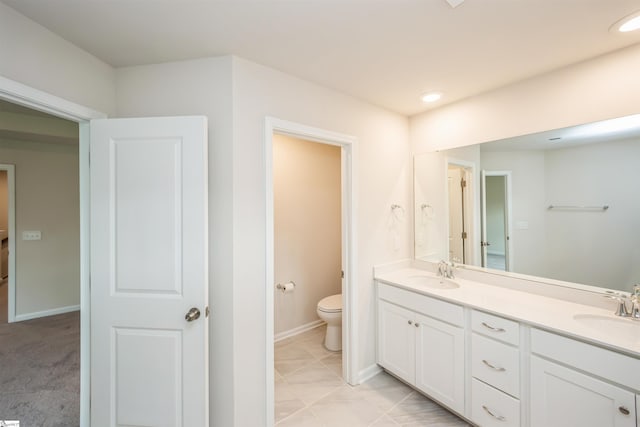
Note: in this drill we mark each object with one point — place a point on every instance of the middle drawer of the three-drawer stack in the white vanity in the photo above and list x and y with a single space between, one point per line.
496 364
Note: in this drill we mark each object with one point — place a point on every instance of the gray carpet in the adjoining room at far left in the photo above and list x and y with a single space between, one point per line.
40 369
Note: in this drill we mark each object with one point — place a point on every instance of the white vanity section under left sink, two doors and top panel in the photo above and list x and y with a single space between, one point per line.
421 340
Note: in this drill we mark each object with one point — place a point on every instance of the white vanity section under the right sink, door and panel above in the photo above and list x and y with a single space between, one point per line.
574 384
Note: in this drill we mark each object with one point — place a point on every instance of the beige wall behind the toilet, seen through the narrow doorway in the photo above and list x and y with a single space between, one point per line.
307 228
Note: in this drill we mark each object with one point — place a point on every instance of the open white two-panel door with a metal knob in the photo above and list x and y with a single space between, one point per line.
149 268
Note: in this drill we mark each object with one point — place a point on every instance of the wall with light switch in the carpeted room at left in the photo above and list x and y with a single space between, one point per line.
47 199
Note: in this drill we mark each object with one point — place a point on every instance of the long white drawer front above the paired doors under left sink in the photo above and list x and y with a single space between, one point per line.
432 307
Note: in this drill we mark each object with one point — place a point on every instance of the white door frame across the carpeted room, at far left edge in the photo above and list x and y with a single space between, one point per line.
11 233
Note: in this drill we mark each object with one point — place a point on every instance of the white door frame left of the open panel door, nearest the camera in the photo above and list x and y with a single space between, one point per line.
29 97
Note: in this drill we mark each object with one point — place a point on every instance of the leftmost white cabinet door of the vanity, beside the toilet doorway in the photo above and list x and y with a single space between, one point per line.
396 340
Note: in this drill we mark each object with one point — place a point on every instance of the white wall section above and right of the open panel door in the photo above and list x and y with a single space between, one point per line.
202 87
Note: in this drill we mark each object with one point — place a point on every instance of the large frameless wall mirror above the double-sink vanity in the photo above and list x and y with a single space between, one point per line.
561 204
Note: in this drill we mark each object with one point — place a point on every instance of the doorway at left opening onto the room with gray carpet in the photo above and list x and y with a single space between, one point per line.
40 271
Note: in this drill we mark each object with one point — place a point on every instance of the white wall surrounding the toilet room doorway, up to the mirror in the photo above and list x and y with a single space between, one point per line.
383 178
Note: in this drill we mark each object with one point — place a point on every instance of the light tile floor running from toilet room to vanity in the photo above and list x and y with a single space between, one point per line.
310 392
